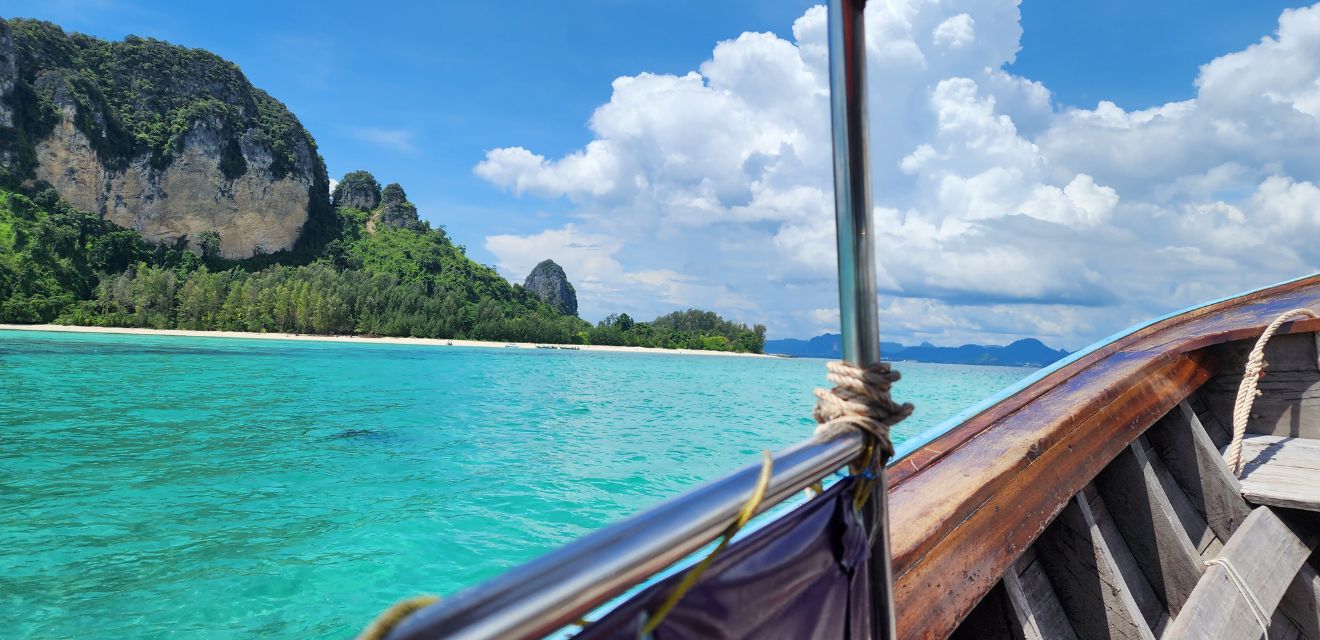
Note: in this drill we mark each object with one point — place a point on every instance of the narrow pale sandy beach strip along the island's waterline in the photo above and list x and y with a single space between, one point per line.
358 340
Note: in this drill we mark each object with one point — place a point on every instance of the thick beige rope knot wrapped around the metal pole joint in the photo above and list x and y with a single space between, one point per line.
860 400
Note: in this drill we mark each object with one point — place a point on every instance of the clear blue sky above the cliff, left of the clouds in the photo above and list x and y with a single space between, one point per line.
416 93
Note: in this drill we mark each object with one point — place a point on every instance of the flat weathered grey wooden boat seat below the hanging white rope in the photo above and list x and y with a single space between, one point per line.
1281 472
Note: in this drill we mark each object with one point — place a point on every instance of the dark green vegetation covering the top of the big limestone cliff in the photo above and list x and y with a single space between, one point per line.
141 97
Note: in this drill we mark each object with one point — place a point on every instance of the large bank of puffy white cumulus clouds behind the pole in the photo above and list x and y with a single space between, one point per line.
1000 214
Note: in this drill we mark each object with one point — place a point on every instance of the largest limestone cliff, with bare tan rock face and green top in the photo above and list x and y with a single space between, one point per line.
171 142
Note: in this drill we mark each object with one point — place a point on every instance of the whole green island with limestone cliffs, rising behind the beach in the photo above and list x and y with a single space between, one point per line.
151 185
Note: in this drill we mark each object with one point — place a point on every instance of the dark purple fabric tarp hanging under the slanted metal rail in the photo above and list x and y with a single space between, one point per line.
803 576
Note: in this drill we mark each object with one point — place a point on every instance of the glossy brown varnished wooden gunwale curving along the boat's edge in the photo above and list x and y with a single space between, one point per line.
943 499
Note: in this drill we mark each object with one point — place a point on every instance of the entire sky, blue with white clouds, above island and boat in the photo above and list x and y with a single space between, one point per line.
420 93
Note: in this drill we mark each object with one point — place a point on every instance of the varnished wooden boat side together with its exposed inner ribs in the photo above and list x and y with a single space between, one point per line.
989 518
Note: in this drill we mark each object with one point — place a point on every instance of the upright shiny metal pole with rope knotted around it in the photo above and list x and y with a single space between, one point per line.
857 304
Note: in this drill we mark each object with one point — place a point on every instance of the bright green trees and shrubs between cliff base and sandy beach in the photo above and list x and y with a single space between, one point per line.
59 265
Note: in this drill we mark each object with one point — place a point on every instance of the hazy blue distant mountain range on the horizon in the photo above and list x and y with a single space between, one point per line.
1026 353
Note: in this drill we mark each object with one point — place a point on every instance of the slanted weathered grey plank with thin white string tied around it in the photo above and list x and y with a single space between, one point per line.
1268 554
